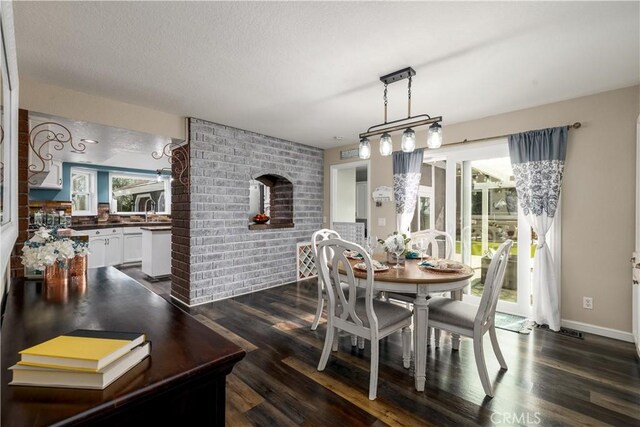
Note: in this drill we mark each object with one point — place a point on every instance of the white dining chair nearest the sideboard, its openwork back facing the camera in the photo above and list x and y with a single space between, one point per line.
367 317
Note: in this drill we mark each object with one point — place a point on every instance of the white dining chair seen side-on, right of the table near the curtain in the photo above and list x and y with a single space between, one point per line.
468 320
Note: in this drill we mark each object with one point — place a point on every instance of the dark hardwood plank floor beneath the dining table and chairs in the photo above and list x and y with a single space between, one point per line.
552 379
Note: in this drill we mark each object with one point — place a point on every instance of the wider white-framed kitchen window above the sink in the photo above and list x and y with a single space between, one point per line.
139 193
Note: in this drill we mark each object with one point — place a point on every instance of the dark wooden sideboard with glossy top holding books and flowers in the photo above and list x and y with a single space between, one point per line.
181 383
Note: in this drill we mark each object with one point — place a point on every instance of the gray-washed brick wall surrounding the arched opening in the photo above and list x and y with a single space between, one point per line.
225 257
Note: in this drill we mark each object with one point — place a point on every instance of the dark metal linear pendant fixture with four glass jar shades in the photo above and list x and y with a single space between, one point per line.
434 138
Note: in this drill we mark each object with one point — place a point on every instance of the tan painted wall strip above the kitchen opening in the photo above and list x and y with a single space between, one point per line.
59 101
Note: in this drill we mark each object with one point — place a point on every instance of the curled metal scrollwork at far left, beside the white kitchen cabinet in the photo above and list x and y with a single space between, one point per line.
49 135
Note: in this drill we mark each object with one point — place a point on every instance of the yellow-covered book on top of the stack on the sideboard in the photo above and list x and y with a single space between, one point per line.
82 349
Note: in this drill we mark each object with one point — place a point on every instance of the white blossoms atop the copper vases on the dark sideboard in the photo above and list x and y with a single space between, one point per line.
46 248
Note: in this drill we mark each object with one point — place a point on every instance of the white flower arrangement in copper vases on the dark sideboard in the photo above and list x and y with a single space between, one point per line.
56 255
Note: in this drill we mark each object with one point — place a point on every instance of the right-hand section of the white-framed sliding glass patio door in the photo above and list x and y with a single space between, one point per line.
482 212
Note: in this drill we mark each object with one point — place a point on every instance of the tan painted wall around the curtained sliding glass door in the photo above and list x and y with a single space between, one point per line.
598 199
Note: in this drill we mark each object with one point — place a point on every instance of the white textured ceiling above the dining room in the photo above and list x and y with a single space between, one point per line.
309 71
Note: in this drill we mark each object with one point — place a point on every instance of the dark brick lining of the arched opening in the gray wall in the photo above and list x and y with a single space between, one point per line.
280 201
